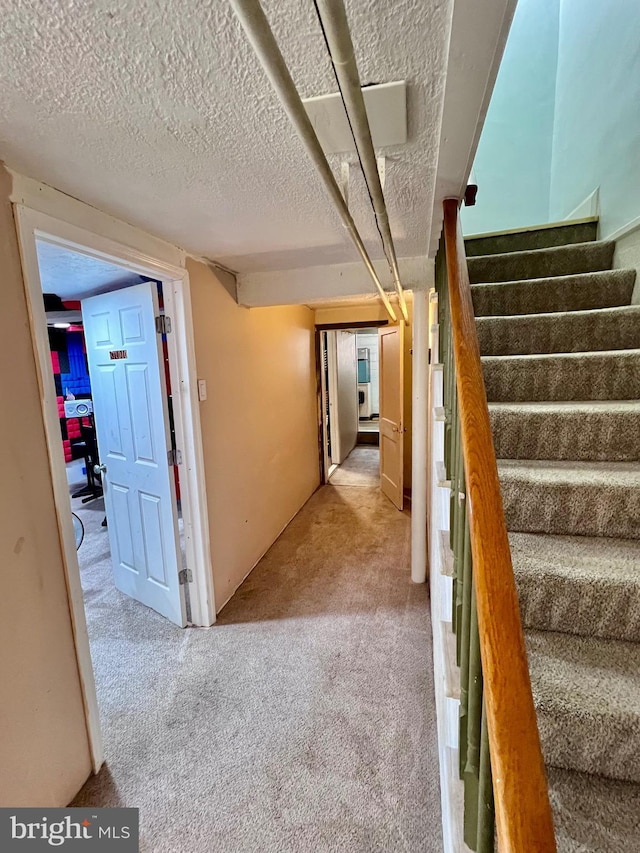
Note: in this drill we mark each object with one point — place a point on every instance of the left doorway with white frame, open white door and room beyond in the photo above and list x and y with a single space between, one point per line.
113 340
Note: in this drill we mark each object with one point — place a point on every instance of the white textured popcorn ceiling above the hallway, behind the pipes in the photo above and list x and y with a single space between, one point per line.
159 113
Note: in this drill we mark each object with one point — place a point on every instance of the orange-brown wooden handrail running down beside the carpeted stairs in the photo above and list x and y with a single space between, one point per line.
523 813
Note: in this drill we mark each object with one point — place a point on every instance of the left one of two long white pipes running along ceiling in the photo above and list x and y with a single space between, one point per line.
259 33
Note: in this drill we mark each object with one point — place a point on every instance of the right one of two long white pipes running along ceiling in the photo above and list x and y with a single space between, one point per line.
335 26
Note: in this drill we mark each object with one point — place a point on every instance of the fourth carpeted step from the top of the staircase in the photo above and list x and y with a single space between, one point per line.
566 331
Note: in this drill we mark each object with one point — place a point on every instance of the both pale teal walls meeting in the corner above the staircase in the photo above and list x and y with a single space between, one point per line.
564 118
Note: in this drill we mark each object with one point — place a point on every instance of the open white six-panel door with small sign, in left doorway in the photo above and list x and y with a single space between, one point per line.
124 352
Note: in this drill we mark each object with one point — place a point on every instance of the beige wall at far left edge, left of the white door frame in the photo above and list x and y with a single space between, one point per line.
44 752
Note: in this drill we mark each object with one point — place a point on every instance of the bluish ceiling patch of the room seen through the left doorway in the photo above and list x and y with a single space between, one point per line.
71 275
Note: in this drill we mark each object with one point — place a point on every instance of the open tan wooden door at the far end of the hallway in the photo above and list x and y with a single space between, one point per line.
391 356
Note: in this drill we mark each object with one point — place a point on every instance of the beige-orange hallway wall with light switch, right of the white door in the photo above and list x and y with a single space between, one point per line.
259 423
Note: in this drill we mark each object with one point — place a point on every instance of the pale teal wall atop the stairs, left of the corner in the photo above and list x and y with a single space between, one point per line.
513 162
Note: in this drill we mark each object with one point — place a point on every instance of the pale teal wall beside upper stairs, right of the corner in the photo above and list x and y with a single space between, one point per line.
596 139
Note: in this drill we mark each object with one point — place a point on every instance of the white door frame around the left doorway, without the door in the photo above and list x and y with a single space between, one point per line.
32 225
